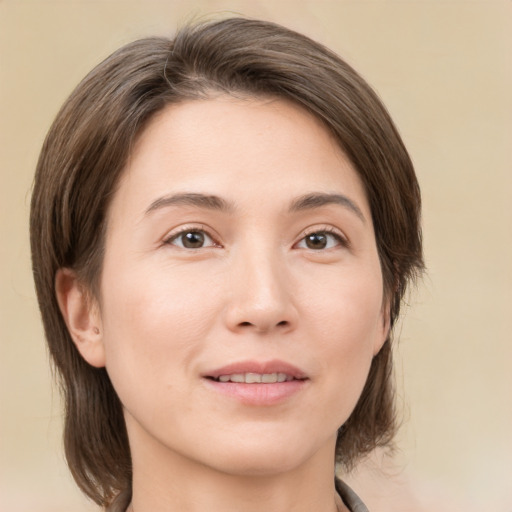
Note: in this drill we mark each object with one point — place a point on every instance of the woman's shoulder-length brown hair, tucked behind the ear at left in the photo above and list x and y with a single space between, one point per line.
84 155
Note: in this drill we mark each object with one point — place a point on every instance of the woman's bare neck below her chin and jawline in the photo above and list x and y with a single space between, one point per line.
167 482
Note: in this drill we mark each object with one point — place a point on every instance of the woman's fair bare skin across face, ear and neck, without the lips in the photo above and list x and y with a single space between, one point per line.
256 290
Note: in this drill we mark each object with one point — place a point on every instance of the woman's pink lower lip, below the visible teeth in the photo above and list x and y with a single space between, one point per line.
258 394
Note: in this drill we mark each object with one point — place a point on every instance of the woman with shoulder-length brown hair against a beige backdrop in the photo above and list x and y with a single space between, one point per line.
223 226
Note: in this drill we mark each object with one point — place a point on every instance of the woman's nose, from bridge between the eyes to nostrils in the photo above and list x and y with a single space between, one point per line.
261 295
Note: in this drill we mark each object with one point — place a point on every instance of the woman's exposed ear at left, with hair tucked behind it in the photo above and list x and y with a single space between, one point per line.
82 316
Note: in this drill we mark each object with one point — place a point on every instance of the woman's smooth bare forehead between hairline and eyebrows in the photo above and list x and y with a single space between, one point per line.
227 145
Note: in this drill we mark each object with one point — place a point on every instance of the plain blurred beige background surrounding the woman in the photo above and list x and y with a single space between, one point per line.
444 70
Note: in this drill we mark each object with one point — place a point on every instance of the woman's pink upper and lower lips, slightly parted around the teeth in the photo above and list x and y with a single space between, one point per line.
256 394
